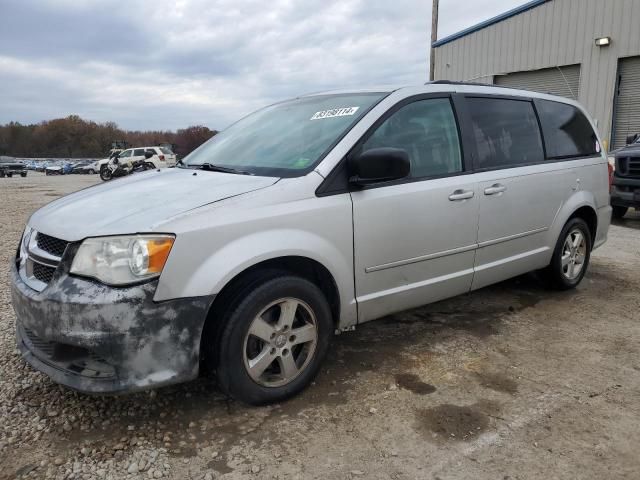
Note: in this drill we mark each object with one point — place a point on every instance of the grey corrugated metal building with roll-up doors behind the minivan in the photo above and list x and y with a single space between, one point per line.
583 49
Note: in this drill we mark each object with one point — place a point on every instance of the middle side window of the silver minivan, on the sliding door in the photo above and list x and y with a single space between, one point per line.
506 132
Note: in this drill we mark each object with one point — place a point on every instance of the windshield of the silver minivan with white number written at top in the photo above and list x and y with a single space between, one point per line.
286 139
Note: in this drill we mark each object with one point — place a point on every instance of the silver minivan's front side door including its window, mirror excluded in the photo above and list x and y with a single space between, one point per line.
415 239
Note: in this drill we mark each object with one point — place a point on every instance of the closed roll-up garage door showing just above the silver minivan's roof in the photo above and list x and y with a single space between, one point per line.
563 81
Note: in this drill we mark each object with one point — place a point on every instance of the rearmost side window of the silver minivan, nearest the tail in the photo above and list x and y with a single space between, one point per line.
567 131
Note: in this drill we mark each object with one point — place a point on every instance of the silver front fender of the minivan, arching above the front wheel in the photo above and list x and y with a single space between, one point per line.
225 241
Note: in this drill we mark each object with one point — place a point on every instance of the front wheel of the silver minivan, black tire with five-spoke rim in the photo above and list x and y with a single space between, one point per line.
261 307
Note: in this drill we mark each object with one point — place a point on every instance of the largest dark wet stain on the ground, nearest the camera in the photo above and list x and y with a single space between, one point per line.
456 423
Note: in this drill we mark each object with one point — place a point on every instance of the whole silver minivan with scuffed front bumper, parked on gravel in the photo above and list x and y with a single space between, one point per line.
307 217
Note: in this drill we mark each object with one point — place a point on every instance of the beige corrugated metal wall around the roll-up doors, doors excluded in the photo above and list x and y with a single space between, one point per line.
559 32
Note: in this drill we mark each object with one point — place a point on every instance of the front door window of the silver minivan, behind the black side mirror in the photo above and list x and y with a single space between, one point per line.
427 131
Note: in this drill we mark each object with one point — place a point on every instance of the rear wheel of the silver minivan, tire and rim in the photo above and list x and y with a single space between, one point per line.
561 273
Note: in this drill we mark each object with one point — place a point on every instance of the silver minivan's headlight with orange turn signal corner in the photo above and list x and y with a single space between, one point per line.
122 260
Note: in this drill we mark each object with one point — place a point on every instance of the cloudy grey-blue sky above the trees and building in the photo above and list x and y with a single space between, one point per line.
169 64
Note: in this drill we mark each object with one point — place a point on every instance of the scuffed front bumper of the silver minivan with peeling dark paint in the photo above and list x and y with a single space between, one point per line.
99 339
